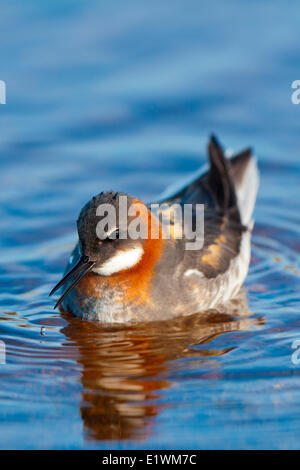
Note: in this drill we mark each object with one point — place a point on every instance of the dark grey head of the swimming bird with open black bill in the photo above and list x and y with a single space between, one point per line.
112 231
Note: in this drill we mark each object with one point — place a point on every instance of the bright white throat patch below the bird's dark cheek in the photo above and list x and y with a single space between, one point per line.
120 261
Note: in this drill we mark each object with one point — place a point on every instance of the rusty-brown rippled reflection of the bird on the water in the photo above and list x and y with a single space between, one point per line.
125 369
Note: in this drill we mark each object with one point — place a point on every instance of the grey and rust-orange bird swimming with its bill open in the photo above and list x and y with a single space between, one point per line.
112 277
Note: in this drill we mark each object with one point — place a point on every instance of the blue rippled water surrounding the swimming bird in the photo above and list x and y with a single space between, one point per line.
123 95
